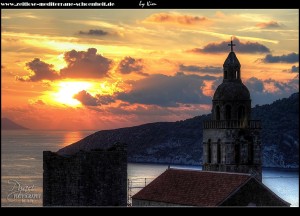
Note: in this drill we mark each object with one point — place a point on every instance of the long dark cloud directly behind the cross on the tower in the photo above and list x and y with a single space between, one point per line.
241 47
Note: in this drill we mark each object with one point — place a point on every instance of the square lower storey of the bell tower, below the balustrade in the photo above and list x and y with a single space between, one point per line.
244 159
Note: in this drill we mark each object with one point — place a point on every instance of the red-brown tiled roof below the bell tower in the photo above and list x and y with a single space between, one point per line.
192 187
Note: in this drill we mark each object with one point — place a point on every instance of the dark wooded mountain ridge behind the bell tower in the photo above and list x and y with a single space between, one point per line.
181 142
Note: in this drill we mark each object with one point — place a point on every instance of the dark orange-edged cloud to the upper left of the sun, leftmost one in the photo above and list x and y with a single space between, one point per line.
40 71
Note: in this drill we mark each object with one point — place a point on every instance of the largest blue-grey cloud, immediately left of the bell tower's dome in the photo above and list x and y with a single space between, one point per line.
167 91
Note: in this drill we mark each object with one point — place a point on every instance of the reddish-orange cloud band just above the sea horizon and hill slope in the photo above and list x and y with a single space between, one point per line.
49 117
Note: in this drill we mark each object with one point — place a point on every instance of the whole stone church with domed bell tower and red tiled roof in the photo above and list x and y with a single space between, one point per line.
232 171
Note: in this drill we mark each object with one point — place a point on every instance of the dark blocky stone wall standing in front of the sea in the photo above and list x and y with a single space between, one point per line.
87 178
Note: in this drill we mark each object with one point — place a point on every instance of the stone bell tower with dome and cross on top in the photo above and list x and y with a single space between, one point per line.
231 140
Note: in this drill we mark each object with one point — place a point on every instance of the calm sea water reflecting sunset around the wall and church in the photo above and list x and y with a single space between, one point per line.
22 168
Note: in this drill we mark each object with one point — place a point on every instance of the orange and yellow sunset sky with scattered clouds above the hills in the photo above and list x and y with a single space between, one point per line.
103 69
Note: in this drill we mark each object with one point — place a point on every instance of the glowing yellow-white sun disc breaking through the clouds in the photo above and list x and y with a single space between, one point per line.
67 90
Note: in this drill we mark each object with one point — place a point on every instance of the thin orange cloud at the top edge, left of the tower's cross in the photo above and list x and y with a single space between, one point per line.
175 18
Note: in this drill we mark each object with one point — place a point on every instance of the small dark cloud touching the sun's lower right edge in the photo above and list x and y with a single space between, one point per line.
88 100
